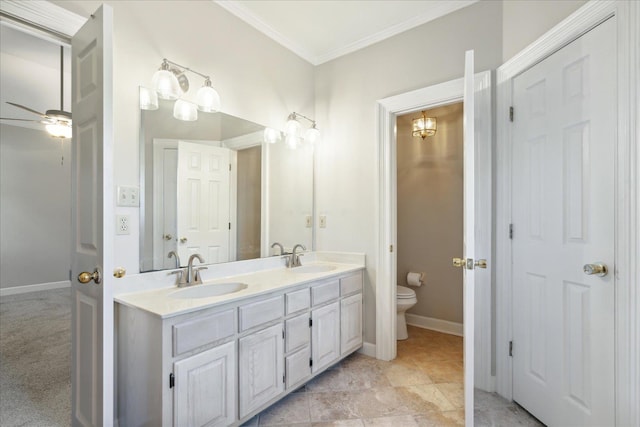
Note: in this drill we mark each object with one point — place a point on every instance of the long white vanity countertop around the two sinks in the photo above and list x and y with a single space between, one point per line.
160 303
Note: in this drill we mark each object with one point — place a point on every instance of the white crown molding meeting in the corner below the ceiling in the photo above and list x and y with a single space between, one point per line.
440 8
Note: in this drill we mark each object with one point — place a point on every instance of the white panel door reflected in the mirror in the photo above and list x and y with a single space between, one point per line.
203 201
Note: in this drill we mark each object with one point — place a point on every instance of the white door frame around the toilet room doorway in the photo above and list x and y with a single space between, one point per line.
386 265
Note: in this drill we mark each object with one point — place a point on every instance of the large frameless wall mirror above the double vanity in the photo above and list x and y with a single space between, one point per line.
214 187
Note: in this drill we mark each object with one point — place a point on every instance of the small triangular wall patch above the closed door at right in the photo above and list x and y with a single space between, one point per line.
523 21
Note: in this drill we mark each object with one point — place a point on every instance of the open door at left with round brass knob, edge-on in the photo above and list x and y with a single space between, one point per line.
92 223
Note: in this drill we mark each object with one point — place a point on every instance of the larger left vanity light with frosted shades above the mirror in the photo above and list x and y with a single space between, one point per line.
170 82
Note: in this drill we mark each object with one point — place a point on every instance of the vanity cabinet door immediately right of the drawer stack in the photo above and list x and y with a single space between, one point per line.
325 336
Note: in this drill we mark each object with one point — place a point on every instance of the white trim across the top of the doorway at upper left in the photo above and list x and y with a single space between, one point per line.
45 15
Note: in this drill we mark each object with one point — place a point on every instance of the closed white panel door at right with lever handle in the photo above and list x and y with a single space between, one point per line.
563 217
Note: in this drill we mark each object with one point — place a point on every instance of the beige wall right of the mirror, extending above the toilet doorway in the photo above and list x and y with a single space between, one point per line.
346 93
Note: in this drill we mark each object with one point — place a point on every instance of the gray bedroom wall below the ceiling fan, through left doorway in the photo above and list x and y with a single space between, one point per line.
35 205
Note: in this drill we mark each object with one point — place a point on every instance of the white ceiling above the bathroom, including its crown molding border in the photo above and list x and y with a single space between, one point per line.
322 30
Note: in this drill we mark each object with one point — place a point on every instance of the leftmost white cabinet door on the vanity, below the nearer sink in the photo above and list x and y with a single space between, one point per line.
205 388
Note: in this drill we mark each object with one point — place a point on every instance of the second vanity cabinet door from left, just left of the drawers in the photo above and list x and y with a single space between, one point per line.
261 368
